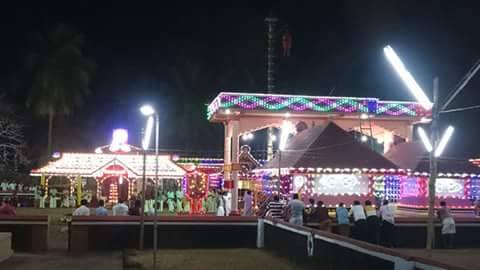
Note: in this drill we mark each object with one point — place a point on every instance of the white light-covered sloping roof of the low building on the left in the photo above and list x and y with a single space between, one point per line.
100 164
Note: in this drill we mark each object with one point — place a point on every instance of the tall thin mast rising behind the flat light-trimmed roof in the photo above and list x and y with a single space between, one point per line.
271 23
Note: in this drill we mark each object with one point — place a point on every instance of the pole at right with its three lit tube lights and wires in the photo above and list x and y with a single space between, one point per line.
433 146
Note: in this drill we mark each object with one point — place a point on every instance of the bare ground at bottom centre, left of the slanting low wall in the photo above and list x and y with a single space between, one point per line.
225 259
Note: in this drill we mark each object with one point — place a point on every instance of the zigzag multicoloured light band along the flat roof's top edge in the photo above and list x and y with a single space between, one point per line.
228 101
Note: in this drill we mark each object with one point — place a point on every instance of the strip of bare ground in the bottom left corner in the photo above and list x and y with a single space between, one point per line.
100 261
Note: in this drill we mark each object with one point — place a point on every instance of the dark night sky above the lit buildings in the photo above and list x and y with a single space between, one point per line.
141 50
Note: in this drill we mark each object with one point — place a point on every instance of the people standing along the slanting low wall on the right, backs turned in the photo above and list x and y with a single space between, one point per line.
362 222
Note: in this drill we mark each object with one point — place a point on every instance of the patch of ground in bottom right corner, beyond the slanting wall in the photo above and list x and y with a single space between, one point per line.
468 258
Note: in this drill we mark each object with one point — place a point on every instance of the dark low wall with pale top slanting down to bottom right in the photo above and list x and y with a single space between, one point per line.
323 250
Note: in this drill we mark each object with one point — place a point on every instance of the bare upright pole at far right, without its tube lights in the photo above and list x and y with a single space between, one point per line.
433 168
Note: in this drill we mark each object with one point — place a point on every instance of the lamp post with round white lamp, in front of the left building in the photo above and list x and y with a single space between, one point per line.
149 111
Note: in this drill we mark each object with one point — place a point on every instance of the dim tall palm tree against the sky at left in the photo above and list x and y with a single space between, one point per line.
60 74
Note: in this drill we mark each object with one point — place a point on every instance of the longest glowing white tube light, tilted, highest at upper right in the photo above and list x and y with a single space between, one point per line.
407 78
